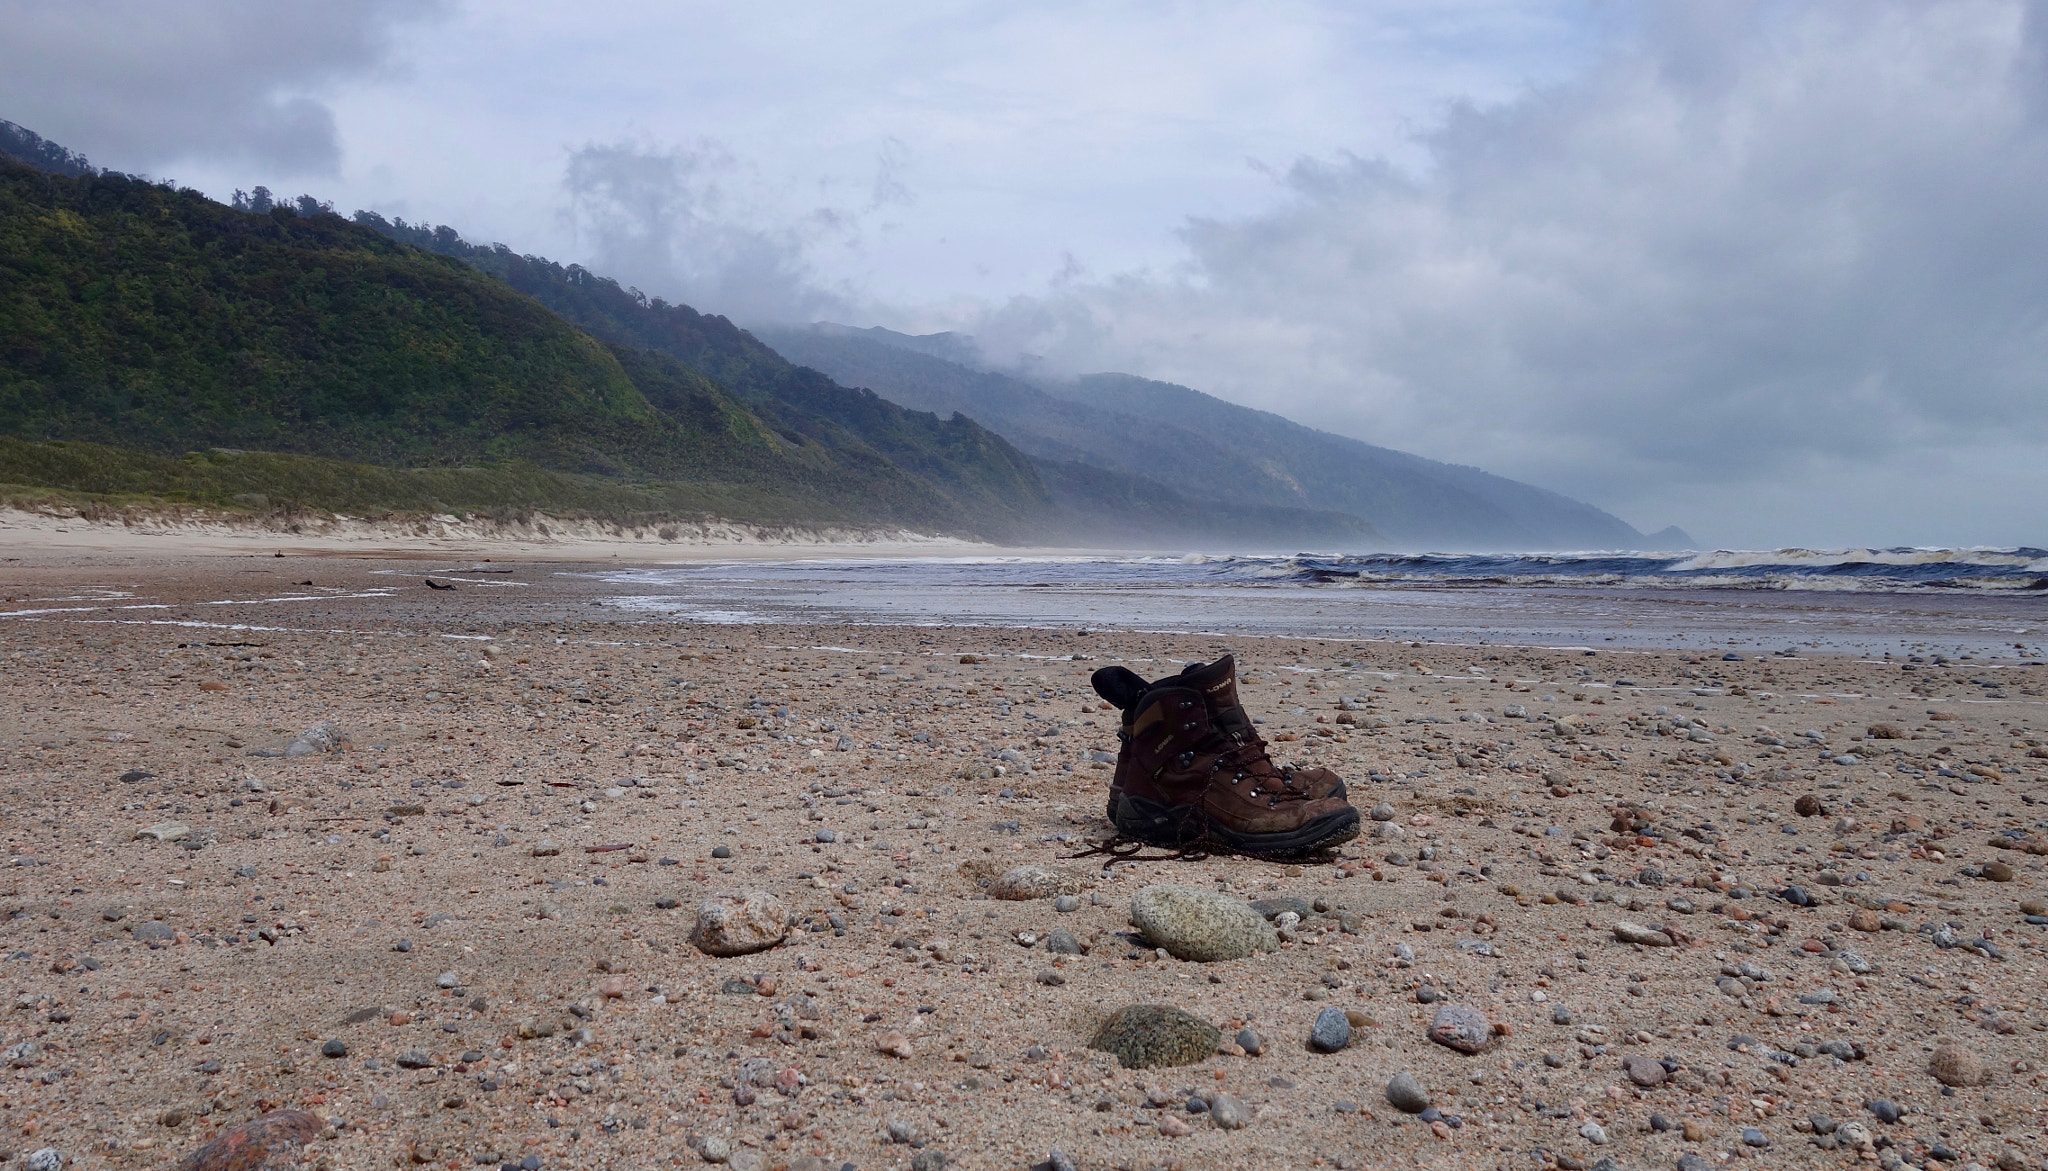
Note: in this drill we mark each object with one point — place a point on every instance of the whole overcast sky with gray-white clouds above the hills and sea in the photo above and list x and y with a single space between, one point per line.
1777 273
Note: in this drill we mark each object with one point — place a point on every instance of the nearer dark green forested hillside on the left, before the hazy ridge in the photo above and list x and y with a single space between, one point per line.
163 322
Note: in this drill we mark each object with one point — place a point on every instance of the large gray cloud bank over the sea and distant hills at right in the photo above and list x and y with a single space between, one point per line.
1754 245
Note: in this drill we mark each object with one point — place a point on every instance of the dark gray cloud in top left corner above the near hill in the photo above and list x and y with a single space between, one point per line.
140 85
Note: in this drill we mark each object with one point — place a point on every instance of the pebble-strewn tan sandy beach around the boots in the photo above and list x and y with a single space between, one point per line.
1701 902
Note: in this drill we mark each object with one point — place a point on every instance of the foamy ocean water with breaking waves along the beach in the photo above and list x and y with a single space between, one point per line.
1988 603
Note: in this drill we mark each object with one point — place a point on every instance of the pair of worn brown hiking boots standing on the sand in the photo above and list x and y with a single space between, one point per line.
1193 771
